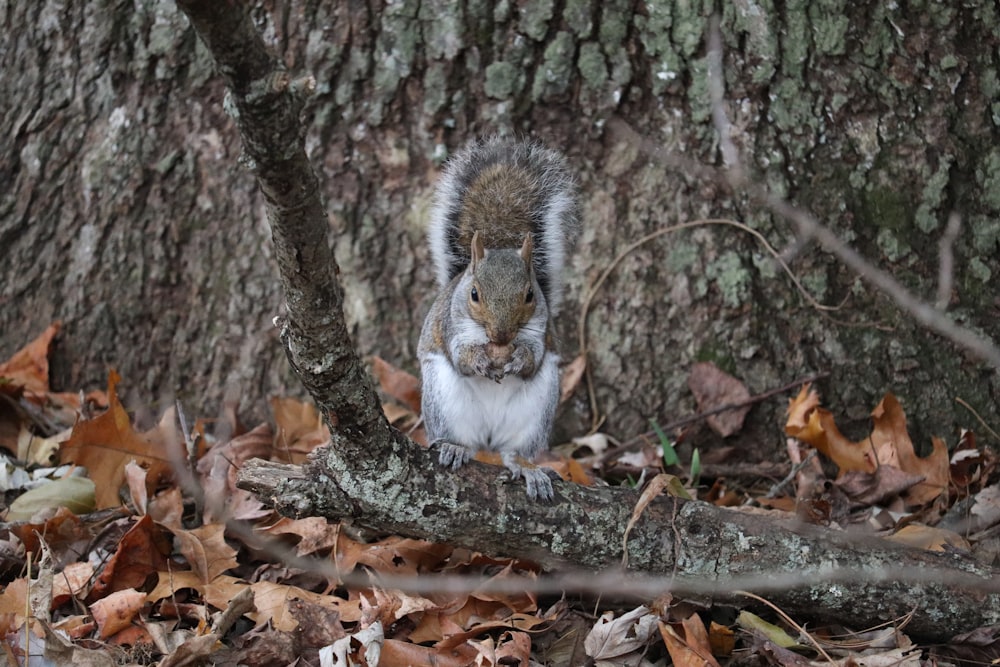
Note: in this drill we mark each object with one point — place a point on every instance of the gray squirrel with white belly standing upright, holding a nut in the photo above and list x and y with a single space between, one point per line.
505 216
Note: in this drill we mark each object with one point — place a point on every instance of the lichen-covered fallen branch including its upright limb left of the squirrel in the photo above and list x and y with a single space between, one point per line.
379 479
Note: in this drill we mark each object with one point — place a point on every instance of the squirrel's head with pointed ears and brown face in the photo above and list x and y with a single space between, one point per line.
503 294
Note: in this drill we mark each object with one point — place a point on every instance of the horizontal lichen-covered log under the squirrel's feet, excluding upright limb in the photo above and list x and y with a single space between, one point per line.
695 547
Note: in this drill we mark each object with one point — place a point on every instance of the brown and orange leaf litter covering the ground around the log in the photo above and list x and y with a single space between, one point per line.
121 546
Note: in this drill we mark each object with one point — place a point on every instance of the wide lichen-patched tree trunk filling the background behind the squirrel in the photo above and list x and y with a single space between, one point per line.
125 216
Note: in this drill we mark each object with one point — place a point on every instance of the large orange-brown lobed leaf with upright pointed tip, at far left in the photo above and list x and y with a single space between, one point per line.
106 443
